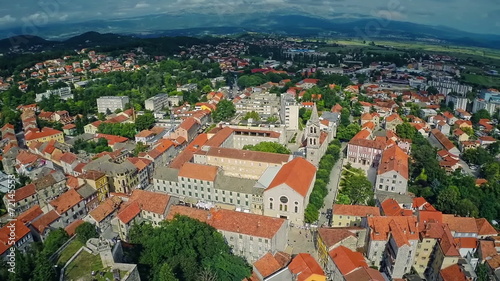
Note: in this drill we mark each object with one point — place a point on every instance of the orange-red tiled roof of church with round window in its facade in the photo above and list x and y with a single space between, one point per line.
298 174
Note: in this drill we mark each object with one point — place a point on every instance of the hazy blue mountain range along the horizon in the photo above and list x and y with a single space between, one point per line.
294 25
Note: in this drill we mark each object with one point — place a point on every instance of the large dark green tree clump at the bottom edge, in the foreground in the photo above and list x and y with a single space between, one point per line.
188 247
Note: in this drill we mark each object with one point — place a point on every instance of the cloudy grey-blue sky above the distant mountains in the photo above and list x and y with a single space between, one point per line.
479 16
